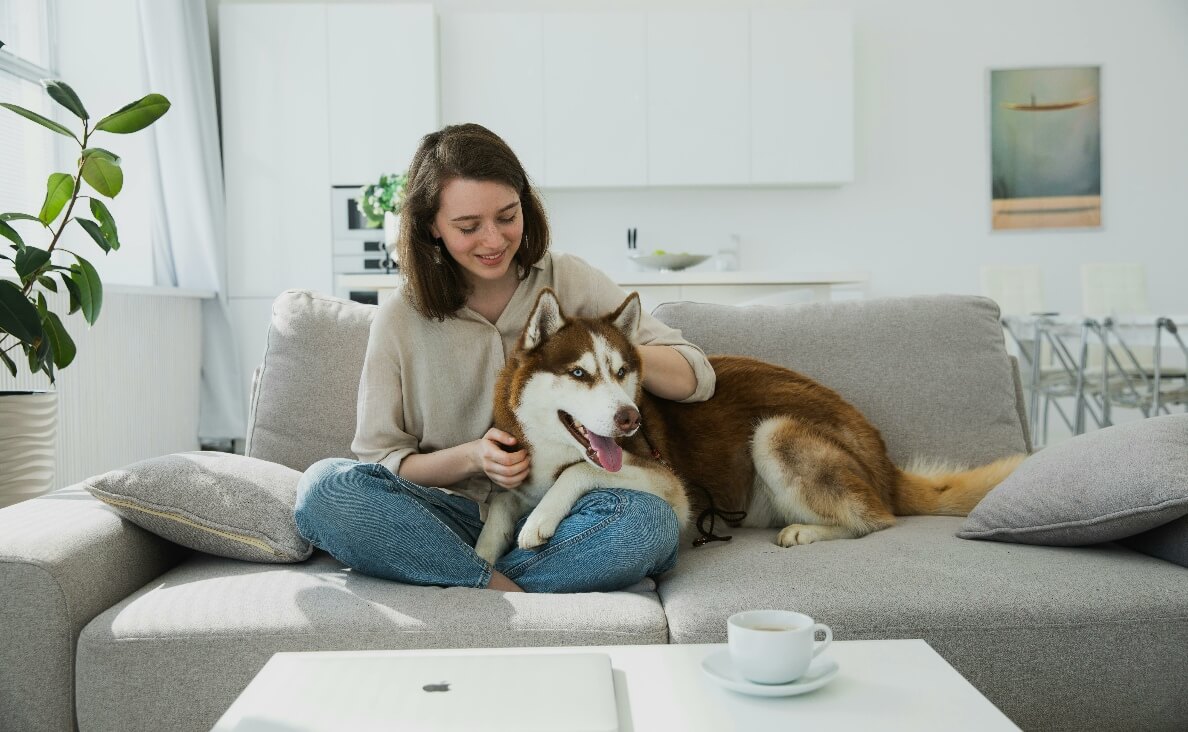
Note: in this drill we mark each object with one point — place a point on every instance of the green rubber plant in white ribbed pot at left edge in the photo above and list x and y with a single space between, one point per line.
30 332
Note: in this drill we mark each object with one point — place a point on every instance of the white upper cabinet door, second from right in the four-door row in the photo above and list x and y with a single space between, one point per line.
699 98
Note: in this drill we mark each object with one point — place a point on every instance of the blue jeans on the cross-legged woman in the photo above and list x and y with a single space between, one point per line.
381 525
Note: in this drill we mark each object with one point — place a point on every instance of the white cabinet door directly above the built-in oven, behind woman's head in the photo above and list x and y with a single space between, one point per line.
383 87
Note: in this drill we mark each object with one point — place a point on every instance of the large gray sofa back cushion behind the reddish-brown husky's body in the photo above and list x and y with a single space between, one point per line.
932 374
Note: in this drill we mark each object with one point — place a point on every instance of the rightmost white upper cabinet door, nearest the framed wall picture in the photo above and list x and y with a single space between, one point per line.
802 97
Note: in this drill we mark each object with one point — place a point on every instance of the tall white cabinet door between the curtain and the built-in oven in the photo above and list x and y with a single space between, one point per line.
276 148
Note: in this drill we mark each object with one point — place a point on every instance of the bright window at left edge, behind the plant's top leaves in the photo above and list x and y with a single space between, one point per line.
29 152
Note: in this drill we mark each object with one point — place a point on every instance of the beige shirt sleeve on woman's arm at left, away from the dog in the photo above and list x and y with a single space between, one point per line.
381 433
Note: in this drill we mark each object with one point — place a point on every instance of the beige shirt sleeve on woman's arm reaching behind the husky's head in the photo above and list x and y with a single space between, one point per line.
590 292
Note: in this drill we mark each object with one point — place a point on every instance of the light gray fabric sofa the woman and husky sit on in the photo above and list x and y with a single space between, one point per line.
106 627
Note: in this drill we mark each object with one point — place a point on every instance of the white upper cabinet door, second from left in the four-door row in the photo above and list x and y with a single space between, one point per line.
596 102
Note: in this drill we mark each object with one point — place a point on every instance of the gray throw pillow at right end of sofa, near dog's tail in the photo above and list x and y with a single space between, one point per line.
1096 488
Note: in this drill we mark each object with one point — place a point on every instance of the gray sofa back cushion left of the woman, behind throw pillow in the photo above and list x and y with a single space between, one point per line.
307 388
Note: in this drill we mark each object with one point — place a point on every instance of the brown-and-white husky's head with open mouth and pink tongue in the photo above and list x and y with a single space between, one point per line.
574 382
